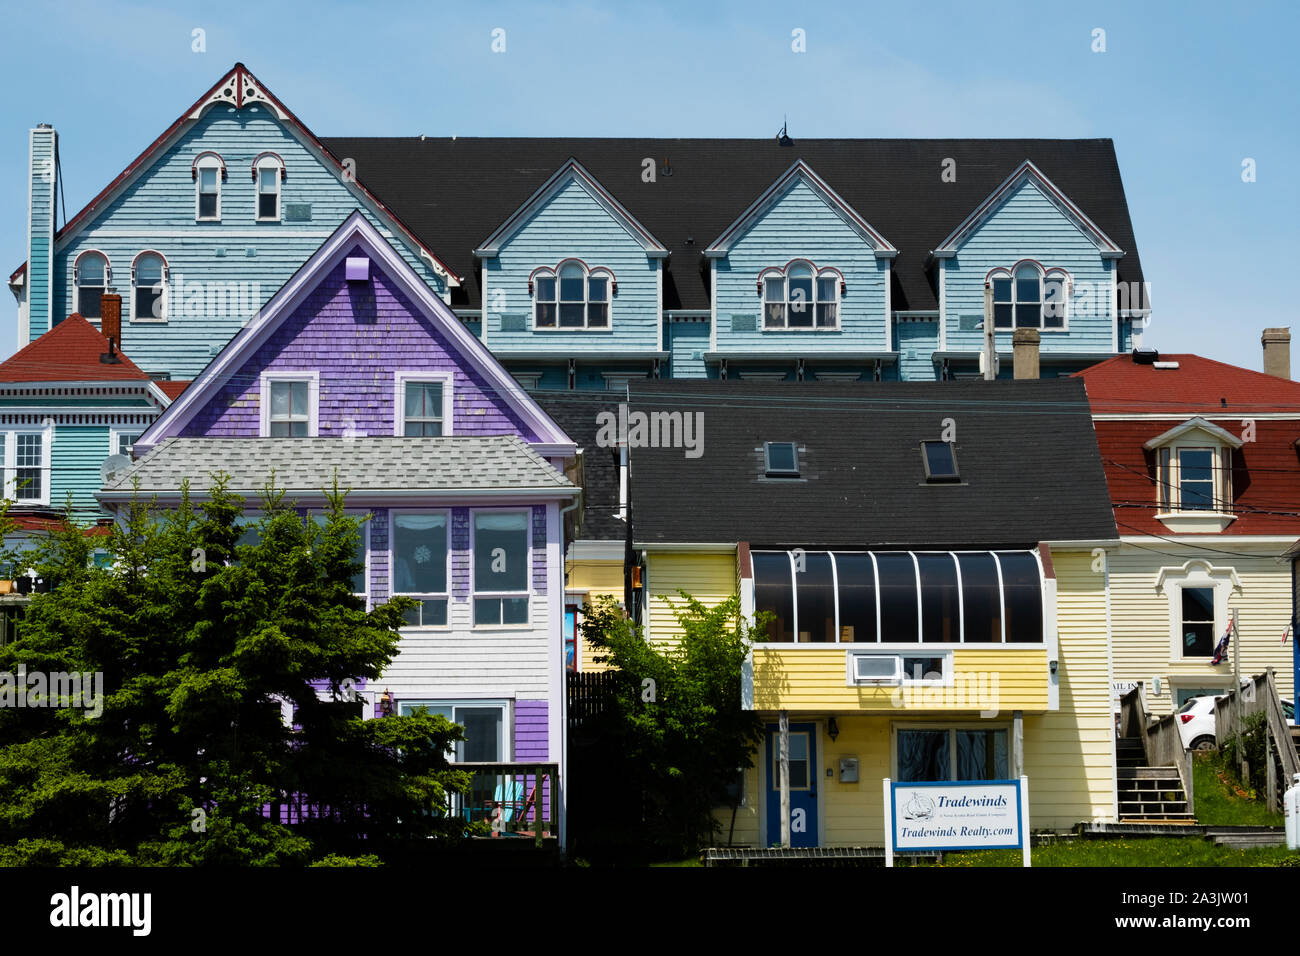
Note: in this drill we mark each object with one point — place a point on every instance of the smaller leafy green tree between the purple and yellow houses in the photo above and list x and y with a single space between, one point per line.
678 724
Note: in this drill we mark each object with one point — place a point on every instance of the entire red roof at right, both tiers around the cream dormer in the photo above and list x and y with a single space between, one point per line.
1266 471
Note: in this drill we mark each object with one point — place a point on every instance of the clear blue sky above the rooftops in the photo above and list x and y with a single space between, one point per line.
1188 92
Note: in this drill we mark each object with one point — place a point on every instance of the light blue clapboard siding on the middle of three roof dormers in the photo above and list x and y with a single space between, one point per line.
803 226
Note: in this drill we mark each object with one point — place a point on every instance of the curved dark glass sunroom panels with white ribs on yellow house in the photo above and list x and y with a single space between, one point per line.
900 598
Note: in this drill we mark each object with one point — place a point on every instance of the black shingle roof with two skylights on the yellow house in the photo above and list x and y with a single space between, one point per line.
1028 455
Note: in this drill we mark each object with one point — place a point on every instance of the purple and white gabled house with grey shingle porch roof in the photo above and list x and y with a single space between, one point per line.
357 367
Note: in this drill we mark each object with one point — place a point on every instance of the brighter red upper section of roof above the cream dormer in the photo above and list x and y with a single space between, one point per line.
1198 386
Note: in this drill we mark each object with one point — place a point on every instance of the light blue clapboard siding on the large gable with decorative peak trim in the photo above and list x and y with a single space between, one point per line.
158 211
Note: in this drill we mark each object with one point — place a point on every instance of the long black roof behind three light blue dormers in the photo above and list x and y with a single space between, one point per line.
454 193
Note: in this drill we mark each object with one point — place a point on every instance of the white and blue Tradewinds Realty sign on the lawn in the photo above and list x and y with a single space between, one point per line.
976 815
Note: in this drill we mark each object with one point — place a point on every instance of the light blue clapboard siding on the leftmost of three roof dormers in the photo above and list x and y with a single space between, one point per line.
573 224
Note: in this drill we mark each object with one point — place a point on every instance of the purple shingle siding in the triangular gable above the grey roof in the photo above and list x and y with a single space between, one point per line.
357 339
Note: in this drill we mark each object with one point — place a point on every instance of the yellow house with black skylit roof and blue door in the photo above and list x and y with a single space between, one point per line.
933 618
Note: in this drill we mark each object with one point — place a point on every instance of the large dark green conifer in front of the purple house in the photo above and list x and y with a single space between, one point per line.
200 641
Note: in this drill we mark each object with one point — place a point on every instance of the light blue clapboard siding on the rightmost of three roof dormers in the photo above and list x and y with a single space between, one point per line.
1030 227
